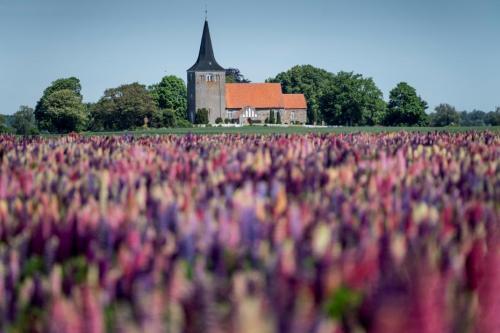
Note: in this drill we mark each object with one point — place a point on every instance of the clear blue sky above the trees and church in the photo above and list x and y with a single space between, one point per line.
449 50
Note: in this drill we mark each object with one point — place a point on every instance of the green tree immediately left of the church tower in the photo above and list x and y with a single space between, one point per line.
171 93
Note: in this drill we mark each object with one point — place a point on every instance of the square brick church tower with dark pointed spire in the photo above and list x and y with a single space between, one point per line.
206 82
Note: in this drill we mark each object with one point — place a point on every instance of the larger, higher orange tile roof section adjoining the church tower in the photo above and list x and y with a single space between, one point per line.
257 95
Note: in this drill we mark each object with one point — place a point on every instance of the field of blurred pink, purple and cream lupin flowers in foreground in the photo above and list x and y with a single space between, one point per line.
373 232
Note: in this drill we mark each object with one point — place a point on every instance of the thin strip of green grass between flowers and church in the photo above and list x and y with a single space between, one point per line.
249 130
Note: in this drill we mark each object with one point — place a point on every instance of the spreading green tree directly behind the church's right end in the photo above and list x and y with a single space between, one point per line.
310 81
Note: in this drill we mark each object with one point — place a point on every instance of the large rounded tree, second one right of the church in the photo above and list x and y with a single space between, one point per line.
352 100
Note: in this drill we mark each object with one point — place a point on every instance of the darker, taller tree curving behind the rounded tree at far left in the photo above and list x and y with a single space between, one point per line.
41 113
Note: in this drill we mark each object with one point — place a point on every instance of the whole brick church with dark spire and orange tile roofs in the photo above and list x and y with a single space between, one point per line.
239 103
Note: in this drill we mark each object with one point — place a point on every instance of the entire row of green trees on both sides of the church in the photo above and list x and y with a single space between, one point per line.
342 99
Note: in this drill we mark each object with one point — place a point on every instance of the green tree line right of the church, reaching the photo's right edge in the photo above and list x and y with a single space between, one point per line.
349 99
